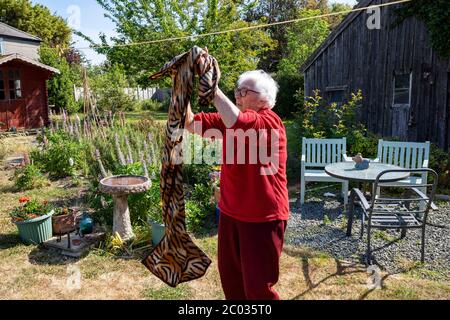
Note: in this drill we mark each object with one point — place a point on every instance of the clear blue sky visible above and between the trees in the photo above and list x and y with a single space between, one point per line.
91 20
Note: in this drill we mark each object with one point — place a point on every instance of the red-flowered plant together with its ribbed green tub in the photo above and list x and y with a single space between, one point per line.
33 220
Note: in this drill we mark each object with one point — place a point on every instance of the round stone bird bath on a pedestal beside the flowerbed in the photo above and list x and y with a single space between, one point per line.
120 187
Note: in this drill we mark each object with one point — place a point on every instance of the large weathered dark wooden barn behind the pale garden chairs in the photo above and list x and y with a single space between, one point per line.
405 84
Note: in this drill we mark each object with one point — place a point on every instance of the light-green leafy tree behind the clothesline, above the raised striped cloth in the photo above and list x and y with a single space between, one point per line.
147 20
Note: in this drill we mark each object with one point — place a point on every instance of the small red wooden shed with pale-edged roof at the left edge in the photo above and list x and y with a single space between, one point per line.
23 92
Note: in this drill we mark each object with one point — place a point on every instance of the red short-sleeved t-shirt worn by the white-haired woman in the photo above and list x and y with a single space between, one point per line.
253 182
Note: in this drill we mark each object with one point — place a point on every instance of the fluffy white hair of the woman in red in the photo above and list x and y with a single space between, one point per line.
264 84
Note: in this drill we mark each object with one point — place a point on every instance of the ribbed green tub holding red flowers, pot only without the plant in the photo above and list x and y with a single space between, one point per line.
37 230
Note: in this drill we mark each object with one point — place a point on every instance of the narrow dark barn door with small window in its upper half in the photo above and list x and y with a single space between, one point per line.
401 105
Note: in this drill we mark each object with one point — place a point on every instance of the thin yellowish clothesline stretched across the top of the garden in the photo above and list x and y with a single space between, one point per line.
244 28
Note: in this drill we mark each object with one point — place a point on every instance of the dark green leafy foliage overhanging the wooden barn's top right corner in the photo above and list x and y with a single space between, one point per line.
436 16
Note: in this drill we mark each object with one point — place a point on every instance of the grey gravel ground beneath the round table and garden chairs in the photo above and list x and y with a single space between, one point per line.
320 224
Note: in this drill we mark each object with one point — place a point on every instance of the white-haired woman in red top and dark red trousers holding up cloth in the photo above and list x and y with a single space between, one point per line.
254 202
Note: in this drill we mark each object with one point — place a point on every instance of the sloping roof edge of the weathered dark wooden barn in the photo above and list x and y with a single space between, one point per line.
335 33
